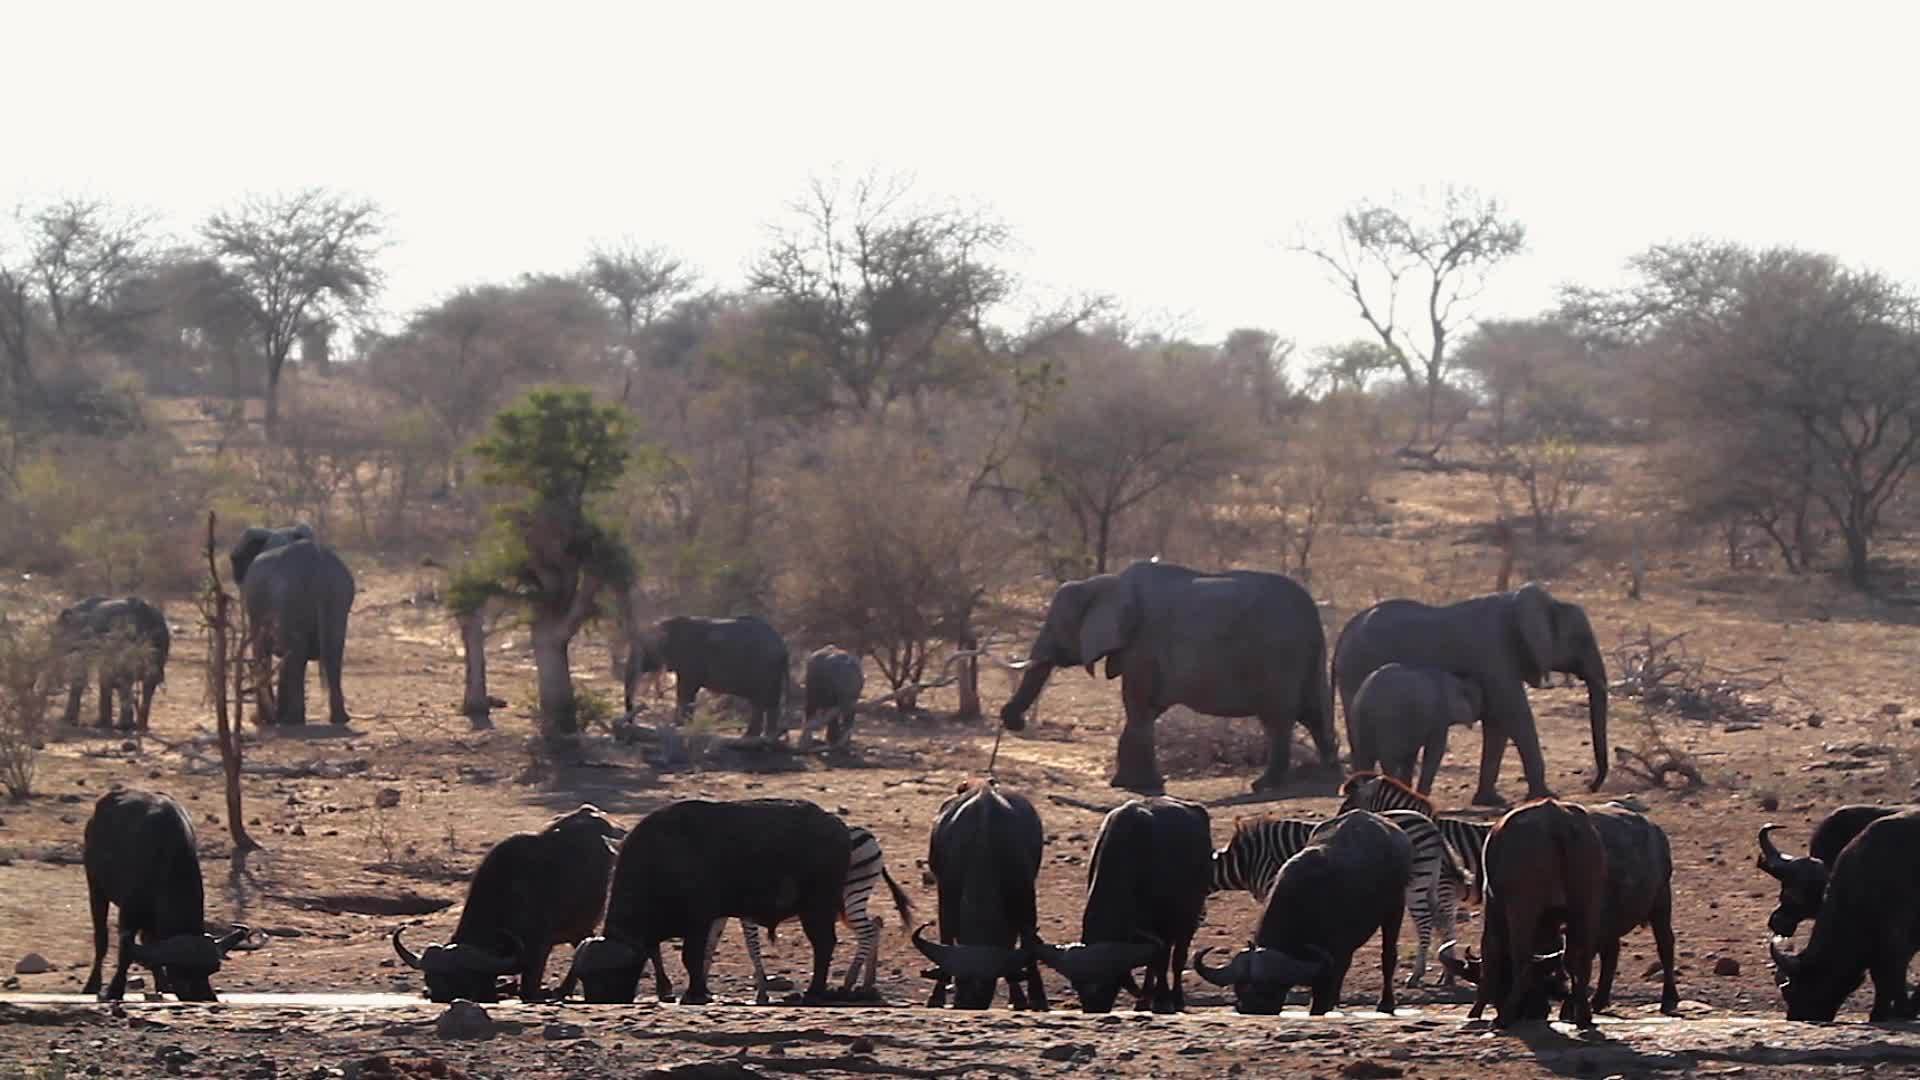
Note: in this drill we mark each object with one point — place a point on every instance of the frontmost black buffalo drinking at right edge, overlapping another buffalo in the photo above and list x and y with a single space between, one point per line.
1869 925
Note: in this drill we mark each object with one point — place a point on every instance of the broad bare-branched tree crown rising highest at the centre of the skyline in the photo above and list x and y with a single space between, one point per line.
884 297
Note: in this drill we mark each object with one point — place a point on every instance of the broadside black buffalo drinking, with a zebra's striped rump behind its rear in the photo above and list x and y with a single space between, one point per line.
688 866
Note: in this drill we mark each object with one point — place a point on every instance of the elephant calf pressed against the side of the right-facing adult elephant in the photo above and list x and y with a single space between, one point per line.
1403 712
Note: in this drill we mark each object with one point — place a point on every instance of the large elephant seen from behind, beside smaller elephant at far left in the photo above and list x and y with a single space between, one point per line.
299 597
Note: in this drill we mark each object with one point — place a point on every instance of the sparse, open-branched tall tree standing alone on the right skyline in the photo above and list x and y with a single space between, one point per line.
1412 274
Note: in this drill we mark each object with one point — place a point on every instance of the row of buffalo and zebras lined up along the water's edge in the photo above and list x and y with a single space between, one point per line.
1560 885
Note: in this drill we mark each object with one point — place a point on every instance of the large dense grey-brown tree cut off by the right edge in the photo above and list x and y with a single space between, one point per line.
1796 376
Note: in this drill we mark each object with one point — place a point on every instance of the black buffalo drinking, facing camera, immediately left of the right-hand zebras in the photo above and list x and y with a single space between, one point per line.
1145 895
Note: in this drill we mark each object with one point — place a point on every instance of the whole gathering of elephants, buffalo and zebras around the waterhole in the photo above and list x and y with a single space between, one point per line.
1560 883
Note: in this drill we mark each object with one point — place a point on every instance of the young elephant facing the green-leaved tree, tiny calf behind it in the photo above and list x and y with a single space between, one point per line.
740 656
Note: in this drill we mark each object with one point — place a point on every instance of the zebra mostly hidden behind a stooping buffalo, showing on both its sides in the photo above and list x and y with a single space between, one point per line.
1260 845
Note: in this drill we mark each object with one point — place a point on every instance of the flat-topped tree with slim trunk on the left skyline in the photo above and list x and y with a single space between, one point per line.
300 258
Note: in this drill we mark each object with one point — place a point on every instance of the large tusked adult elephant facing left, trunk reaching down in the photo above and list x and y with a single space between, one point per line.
1228 645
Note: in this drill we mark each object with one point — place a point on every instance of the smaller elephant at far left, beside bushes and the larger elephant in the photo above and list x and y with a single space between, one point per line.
128 641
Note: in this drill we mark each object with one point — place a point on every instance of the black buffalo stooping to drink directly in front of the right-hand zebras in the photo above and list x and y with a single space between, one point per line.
1326 902
